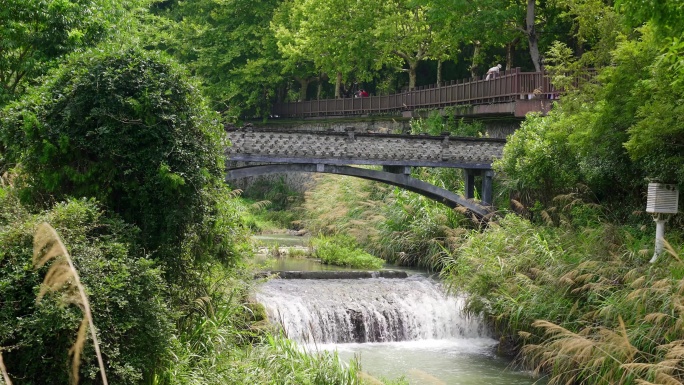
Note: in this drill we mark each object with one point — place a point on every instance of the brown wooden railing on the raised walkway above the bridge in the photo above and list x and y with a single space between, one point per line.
508 86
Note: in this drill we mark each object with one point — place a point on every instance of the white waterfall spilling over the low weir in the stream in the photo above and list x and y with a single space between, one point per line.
366 310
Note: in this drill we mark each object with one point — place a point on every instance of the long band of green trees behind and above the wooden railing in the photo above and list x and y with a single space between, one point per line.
250 56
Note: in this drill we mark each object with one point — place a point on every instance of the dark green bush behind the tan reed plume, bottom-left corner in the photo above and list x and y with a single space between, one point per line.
132 319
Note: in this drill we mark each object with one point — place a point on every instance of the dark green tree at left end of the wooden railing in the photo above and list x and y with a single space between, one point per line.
230 47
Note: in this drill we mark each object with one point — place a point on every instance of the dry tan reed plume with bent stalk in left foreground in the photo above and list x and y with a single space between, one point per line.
63 276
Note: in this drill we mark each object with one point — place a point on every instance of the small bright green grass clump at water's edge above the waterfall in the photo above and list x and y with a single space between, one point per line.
342 251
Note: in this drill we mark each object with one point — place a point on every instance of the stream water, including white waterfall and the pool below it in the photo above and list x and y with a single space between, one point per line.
397 328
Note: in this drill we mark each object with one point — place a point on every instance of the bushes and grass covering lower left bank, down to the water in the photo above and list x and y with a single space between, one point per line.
218 338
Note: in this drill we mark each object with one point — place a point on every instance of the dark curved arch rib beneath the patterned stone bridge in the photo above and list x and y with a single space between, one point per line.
400 180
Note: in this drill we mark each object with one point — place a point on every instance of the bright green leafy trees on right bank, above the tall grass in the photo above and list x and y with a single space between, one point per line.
613 134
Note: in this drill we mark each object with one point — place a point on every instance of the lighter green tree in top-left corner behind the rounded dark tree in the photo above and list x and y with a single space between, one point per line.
35 33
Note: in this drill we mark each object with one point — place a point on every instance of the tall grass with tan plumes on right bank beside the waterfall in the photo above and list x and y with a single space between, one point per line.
582 302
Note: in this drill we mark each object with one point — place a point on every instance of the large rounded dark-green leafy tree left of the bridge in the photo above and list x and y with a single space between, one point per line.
126 127
